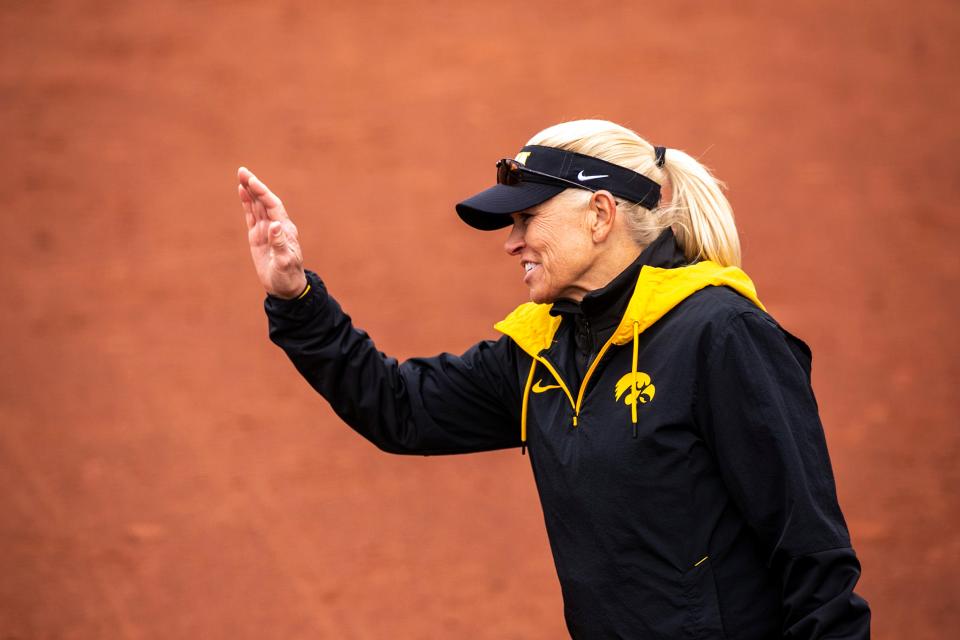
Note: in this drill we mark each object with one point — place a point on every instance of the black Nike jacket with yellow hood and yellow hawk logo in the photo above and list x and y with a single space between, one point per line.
673 435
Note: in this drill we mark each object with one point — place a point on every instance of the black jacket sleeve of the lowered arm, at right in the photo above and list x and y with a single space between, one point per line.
761 420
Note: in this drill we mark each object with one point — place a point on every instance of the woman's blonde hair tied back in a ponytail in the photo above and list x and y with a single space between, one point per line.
697 211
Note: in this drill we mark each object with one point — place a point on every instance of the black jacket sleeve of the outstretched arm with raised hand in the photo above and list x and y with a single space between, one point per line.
438 405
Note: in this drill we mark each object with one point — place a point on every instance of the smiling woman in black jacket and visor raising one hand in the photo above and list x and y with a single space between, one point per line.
671 427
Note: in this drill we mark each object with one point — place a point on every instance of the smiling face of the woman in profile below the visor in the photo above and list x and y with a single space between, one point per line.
554 247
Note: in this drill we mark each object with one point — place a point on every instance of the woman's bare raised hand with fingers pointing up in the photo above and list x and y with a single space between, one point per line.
274 244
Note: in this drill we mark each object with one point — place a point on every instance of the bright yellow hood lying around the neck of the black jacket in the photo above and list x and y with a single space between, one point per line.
657 291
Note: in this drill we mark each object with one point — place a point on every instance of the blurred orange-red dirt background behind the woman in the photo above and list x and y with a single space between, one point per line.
164 472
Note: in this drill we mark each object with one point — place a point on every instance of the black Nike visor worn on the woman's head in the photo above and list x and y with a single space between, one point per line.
539 173
